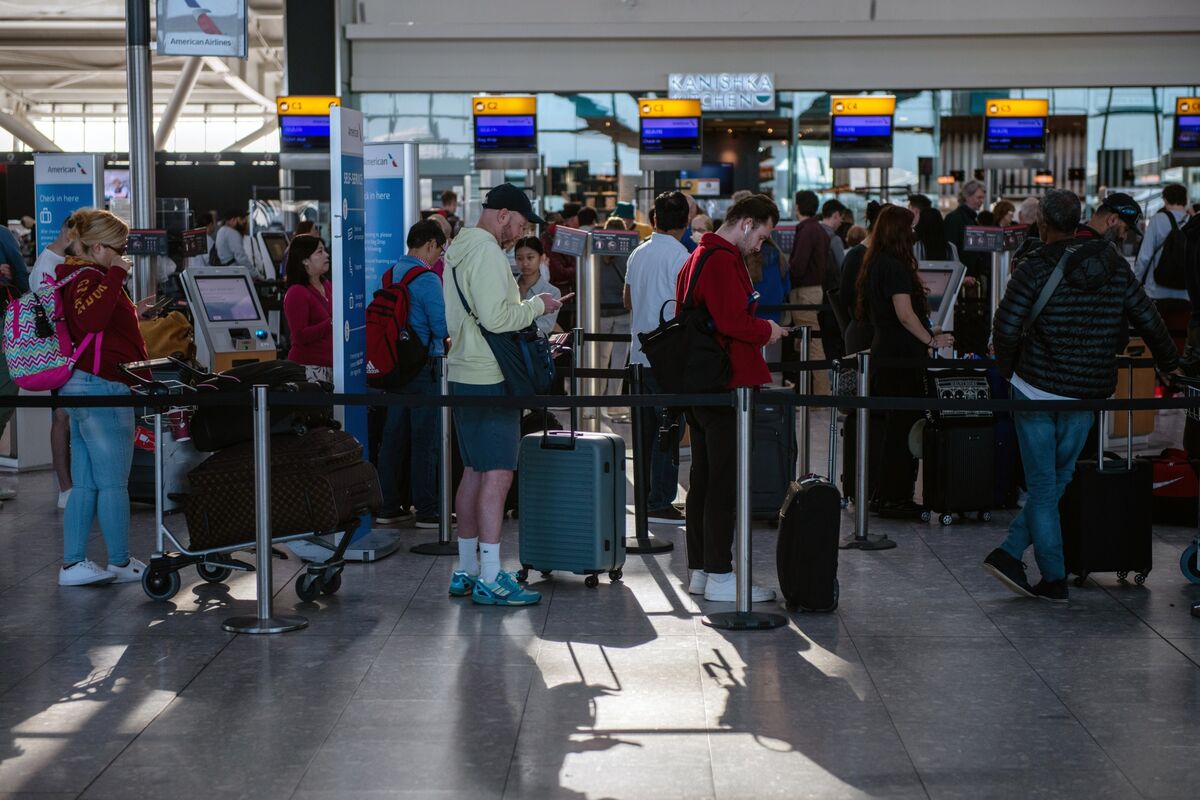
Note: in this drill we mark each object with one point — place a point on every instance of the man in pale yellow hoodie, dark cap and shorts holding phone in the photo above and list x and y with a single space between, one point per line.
481 293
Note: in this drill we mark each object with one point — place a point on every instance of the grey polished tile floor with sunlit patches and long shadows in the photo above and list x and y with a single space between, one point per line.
929 682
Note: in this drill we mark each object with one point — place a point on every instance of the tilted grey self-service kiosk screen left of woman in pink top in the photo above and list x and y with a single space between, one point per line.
231 327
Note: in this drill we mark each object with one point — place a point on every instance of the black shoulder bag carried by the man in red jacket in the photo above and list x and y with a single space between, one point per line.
685 353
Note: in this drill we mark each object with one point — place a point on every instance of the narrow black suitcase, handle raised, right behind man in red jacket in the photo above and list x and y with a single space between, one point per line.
809 534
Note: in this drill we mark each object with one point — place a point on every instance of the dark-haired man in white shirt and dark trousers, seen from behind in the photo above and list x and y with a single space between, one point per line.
651 276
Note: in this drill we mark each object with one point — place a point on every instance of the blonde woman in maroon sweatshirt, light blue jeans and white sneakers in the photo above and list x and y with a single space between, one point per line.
95 306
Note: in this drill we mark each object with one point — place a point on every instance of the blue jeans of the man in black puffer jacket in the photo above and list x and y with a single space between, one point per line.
1051 443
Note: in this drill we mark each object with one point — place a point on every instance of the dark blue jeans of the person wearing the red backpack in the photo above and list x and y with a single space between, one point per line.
417 432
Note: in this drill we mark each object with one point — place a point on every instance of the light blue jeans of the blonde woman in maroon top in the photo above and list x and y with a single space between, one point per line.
101 455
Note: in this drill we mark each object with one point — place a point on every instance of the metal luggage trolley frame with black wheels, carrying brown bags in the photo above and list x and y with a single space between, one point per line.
161 580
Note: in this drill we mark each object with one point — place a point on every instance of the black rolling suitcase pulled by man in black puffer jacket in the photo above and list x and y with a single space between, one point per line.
1108 515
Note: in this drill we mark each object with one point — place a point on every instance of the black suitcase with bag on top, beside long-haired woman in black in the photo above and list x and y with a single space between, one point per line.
959 449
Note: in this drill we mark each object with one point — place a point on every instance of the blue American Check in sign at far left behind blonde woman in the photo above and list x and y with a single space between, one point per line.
63 184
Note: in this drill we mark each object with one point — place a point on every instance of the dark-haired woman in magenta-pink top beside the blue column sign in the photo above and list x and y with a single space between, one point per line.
309 304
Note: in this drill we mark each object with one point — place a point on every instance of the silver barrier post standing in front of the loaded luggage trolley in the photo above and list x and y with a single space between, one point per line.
267 621
